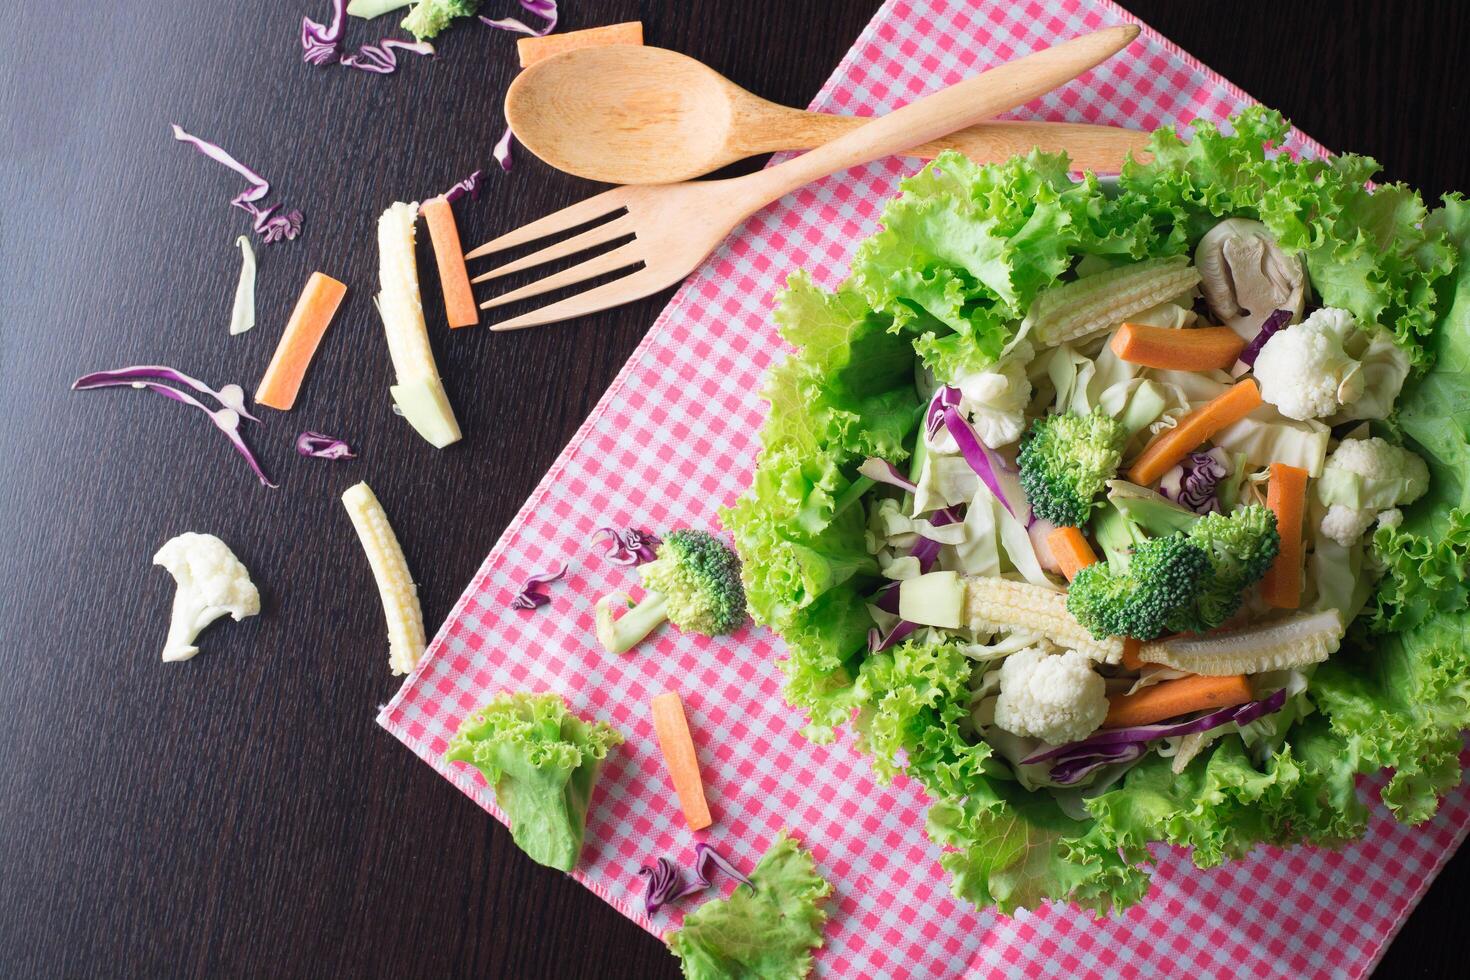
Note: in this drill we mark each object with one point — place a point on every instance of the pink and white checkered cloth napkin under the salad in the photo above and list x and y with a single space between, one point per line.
674 439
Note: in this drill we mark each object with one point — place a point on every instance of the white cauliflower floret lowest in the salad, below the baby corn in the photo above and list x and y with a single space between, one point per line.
1052 697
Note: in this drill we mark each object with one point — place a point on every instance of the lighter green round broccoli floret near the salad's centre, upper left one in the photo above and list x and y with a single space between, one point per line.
1066 462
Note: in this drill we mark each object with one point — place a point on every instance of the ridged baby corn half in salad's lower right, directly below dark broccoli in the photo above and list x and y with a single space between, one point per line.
1305 638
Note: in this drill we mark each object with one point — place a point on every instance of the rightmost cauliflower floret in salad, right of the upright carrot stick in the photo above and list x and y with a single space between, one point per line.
1366 481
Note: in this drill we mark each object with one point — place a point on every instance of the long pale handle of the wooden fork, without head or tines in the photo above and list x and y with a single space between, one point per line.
962 105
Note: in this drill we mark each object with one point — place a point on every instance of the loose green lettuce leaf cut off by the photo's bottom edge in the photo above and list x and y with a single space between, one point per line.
764 931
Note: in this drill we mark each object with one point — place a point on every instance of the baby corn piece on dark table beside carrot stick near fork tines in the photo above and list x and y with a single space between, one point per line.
420 393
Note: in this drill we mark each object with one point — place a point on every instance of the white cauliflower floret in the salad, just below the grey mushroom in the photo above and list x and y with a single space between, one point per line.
1306 371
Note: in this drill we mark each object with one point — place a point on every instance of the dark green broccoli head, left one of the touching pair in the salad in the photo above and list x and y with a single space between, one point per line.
1164 575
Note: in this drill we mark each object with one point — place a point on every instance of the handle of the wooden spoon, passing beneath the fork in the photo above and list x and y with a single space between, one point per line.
1090 148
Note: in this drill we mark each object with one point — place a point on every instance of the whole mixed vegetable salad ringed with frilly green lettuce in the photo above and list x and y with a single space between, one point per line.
1130 514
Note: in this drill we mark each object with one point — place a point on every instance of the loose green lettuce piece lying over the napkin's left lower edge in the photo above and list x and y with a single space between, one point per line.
542 762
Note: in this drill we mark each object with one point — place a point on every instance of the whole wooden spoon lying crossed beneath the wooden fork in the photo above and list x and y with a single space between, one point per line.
645 115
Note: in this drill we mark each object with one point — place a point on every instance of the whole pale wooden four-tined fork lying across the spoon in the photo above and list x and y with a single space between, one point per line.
677 226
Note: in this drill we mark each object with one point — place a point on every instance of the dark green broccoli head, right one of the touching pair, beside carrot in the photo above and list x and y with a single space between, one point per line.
1241 546
